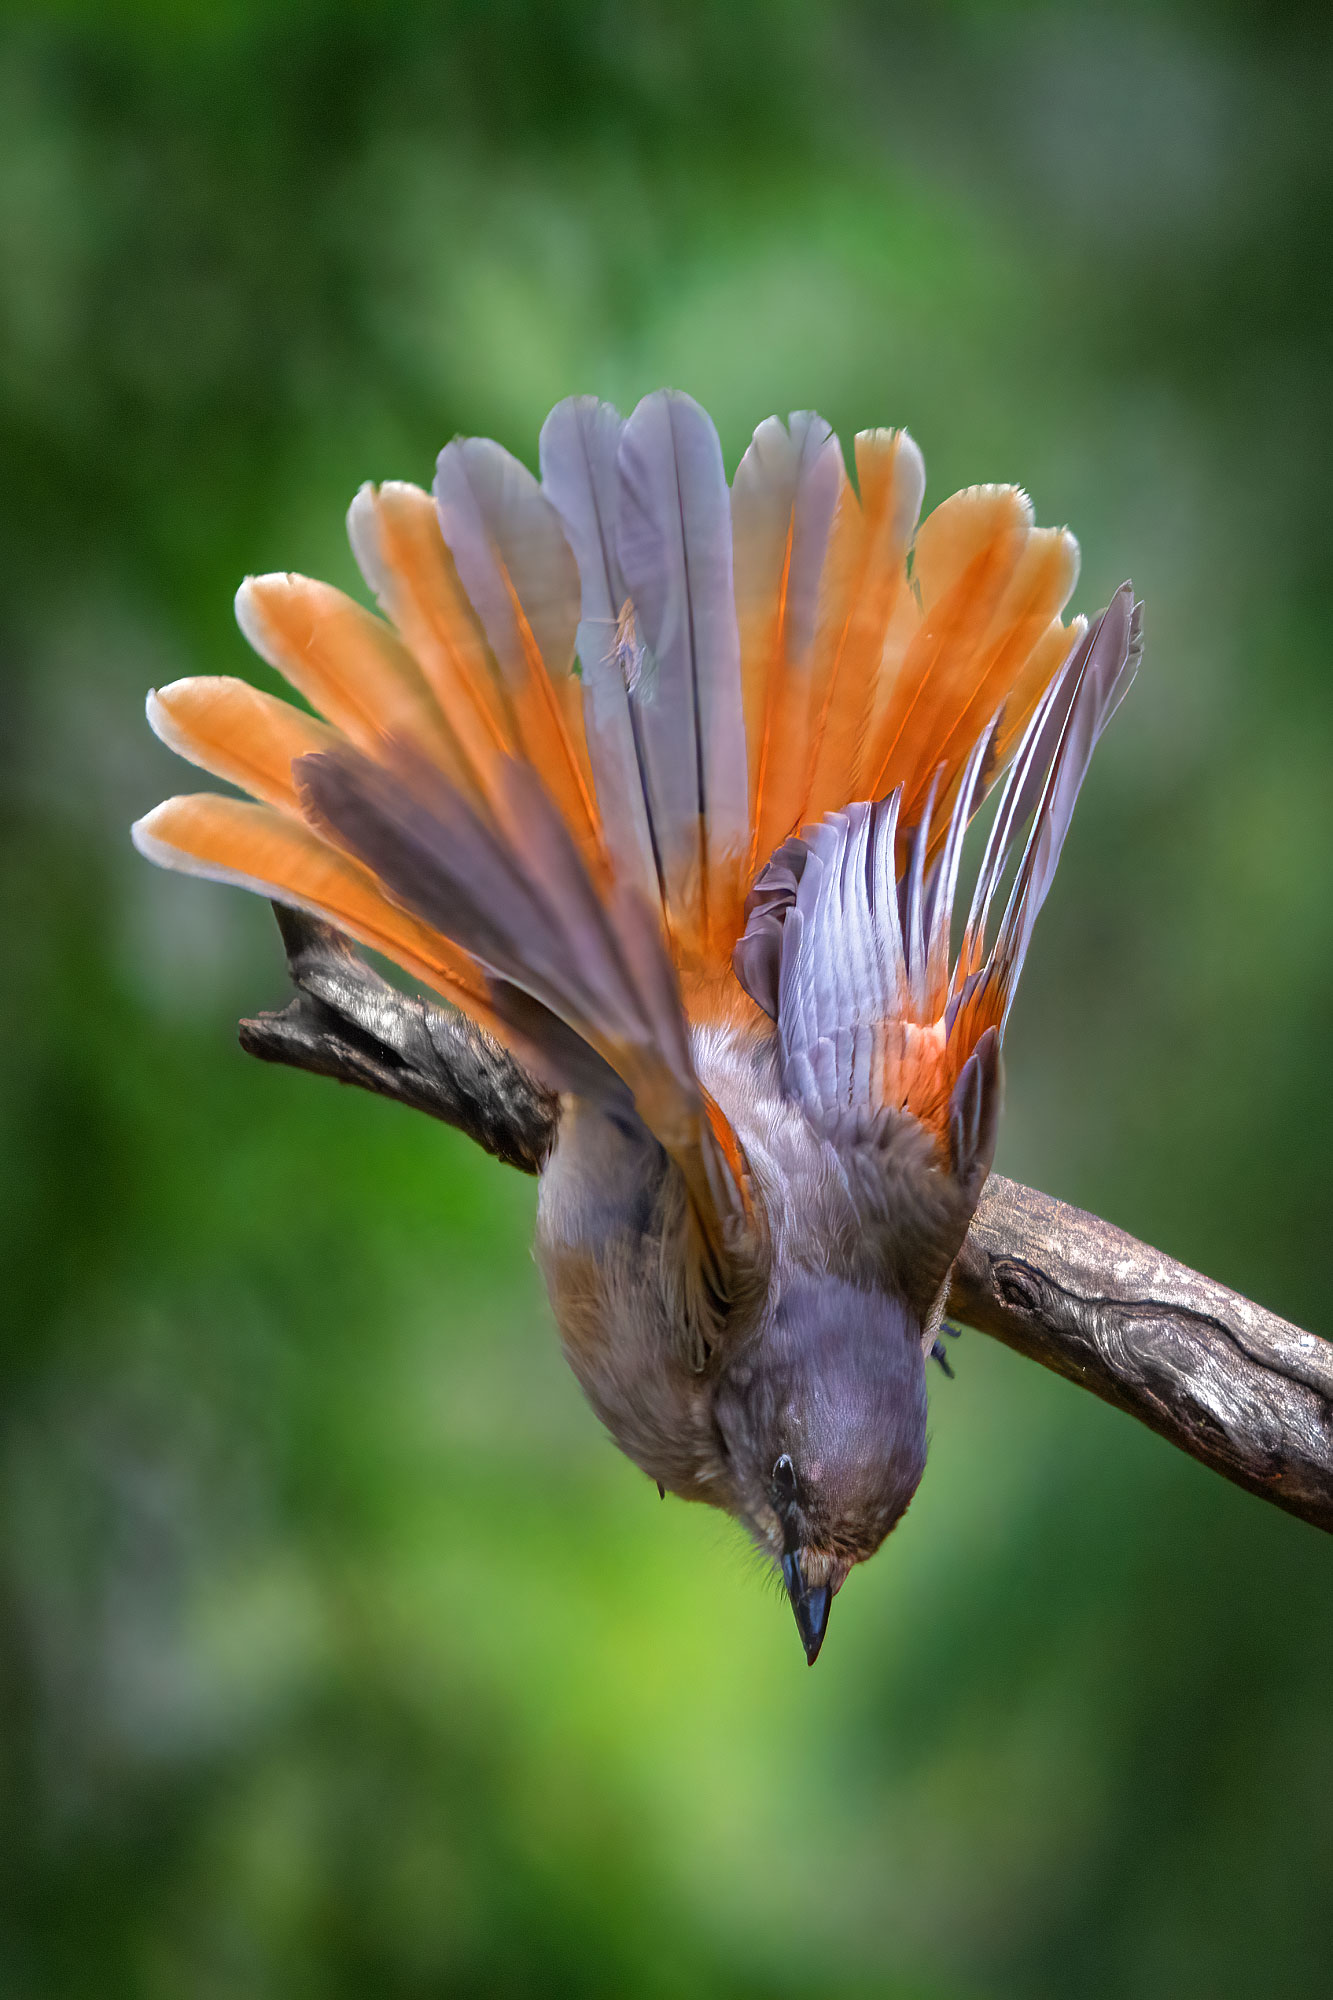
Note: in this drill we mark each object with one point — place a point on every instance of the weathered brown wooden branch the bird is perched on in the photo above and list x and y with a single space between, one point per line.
1210 1371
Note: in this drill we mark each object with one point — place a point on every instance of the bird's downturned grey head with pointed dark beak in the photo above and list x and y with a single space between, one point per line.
824 1425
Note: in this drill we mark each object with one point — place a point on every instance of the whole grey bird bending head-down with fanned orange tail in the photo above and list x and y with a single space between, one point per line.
668 787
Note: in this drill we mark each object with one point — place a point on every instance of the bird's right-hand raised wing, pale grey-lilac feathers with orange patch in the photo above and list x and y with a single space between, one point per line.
850 935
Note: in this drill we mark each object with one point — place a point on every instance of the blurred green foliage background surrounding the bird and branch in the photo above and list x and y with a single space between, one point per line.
339 1653
